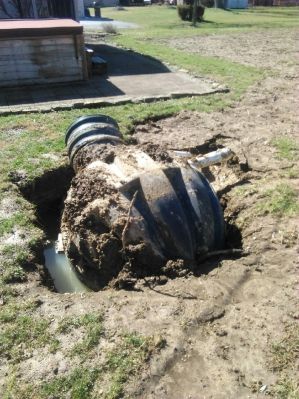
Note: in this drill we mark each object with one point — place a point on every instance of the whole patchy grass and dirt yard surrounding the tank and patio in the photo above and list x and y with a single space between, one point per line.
226 330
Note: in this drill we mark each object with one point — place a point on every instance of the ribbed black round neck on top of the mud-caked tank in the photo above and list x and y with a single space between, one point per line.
90 130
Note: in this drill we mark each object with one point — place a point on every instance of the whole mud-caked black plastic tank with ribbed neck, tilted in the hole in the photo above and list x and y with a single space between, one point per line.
127 214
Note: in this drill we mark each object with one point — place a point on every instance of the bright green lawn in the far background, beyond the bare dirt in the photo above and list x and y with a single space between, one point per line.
163 21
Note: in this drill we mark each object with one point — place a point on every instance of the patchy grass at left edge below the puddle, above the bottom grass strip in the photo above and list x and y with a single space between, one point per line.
23 331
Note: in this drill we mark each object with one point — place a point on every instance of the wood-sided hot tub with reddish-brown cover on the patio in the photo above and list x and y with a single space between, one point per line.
41 52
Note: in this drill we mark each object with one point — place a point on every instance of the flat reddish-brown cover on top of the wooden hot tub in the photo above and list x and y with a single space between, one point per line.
38 27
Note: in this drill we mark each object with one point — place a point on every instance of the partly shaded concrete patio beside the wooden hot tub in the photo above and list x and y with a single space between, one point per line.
131 78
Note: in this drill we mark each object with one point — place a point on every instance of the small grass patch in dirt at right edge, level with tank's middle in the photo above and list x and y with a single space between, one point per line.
280 201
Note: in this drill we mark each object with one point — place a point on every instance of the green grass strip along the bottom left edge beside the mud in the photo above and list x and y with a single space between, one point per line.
121 363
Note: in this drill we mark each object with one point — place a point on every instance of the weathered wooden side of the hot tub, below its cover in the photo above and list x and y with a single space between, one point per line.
40 60
